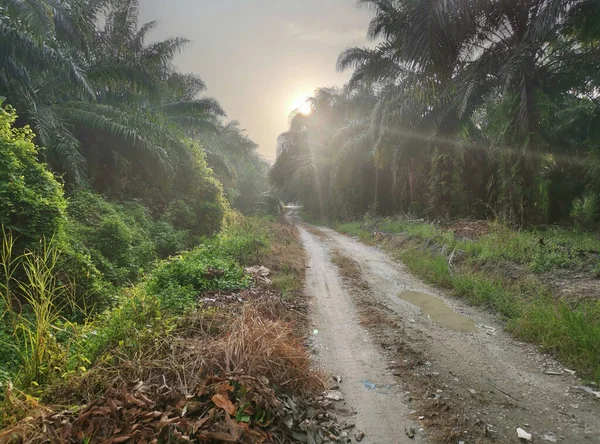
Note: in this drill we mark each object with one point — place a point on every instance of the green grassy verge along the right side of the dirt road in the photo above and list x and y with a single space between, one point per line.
510 272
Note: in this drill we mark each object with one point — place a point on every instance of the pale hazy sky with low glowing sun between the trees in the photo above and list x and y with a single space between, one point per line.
259 57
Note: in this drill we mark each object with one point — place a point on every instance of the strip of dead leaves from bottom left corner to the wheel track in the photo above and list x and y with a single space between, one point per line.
238 409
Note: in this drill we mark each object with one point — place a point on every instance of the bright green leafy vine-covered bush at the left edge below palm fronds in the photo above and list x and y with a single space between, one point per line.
31 199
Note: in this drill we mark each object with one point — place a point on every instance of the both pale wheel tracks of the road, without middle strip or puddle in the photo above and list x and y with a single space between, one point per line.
508 378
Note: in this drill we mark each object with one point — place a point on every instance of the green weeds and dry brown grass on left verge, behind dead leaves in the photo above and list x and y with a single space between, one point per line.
149 331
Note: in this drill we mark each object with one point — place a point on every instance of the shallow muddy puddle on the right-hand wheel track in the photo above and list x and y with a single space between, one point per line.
438 311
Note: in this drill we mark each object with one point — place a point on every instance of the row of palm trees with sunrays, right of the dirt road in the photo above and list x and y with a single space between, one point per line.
464 108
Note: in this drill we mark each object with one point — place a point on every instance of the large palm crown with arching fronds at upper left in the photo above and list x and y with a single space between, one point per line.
80 86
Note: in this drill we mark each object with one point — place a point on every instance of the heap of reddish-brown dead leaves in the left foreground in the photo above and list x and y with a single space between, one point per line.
238 409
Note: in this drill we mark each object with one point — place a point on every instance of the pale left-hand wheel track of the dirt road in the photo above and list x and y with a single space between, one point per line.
345 348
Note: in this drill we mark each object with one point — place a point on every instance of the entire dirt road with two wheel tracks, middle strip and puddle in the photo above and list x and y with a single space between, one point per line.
426 355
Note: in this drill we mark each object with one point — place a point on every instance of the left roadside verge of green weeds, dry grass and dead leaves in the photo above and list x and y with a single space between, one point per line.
200 333
